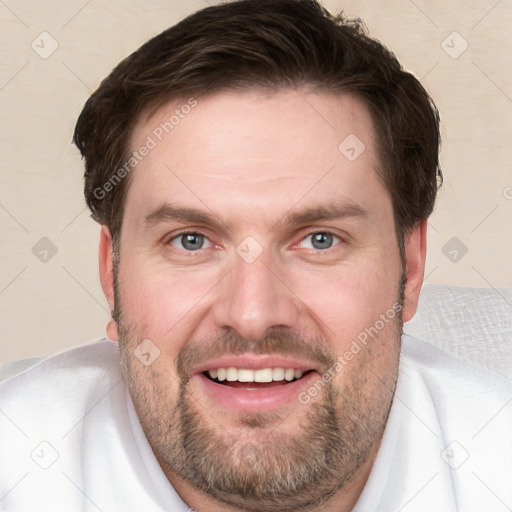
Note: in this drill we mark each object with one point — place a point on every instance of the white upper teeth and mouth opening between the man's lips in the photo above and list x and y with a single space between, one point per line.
254 379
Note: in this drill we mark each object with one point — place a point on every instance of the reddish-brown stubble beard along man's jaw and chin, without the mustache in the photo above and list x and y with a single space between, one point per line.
261 468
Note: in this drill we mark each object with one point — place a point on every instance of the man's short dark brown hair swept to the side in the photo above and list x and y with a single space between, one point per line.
270 44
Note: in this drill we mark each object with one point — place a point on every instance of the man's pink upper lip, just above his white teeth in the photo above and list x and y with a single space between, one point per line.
254 362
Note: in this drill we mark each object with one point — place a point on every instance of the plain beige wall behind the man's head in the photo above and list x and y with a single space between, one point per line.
49 306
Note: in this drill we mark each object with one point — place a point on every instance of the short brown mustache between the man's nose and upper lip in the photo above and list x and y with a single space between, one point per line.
281 341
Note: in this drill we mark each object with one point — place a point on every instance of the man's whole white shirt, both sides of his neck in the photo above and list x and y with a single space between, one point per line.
70 439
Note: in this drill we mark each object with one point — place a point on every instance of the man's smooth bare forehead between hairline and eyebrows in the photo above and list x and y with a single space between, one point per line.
257 152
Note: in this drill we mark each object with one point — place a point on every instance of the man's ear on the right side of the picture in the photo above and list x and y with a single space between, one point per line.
415 254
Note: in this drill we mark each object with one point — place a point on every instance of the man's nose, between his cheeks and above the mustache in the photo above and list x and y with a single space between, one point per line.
253 298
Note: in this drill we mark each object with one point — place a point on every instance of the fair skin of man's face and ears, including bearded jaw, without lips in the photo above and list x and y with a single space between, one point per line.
252 160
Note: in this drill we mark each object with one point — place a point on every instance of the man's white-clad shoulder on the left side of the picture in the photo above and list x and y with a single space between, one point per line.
66 433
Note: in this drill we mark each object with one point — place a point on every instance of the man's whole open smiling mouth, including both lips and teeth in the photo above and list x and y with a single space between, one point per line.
254 383
